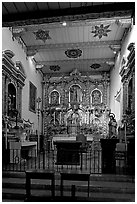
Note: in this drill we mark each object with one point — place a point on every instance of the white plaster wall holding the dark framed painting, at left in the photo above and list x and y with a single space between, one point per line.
31 74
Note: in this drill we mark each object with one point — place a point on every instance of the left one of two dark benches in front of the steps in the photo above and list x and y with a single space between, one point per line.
39 174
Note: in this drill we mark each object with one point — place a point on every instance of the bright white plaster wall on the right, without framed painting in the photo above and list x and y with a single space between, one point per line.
115 78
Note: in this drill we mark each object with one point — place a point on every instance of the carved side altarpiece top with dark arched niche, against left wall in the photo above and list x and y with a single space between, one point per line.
13 75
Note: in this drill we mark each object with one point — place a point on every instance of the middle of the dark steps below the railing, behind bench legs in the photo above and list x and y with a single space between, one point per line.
94 187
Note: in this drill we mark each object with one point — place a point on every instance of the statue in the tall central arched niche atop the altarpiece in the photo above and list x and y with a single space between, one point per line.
75 94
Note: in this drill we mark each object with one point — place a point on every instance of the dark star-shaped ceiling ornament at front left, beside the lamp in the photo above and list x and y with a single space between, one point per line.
42 35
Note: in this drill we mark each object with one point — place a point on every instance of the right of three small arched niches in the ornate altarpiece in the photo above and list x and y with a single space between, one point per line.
96 96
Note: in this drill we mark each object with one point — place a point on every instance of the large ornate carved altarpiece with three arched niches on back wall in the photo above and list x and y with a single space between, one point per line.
75 104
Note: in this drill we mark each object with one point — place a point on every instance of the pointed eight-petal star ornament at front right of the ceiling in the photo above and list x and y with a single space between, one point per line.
101 31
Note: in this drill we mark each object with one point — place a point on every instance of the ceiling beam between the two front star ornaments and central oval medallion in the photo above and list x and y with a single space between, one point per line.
74 45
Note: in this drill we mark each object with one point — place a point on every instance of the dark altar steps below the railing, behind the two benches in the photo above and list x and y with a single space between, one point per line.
103 188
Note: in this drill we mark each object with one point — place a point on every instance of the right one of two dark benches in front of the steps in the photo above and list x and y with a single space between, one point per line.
77 176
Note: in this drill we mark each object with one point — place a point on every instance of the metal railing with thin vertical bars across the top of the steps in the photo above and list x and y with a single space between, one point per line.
84 160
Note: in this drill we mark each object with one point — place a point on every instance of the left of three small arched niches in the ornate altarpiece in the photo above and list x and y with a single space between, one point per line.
54 97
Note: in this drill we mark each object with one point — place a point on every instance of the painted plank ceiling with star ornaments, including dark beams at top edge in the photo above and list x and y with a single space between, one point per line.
89 41
